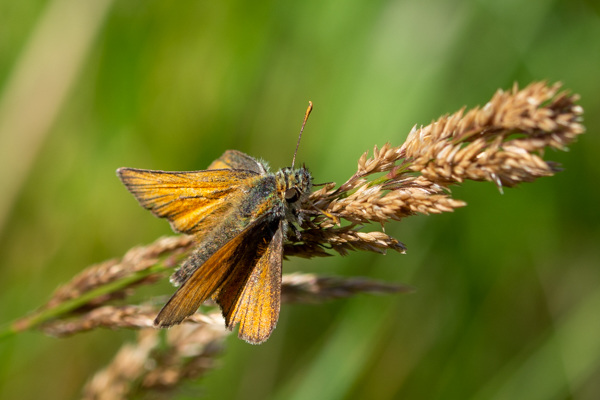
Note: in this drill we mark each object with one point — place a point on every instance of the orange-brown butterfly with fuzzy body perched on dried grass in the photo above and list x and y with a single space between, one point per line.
239 213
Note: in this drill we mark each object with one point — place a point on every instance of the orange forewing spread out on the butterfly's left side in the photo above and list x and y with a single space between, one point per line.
191 201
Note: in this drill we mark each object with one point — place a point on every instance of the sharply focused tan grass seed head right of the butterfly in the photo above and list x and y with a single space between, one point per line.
502 142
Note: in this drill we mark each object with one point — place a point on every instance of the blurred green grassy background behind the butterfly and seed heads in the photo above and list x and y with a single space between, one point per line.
507 300
